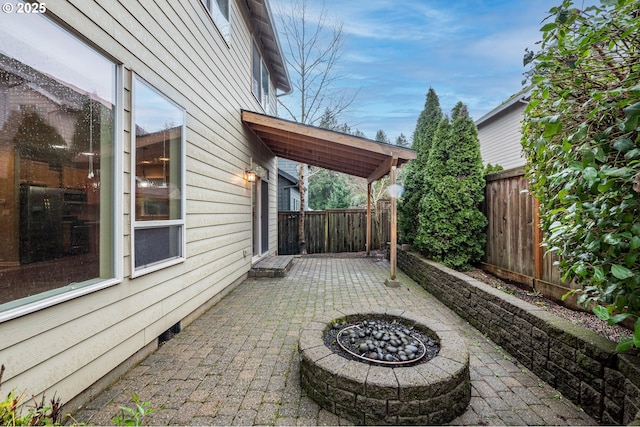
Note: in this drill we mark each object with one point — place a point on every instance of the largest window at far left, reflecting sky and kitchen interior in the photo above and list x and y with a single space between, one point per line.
57 165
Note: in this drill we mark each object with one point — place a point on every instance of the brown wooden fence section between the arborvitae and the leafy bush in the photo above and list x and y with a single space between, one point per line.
513 248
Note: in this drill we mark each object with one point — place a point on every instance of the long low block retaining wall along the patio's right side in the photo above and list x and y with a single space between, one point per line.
579 363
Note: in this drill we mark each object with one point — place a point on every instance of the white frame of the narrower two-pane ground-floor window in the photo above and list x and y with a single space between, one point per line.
182 222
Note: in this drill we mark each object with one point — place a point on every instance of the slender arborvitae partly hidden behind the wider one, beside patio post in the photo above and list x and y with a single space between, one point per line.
414 183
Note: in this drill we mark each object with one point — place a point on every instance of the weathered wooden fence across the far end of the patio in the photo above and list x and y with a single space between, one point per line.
333 231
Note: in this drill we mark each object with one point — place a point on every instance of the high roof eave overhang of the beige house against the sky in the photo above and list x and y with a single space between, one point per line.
264 26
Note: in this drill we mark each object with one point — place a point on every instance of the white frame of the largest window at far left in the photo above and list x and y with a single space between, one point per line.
78 290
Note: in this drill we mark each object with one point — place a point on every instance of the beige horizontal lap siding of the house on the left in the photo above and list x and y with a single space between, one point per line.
176 49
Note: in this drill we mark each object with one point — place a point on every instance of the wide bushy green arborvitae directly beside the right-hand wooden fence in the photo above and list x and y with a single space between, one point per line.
452 227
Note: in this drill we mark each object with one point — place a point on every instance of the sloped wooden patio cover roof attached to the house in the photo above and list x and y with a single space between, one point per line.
325 148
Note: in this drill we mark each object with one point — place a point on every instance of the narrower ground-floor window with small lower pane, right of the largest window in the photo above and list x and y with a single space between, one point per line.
158 195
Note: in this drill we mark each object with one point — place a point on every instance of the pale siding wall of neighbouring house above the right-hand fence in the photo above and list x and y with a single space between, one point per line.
500 138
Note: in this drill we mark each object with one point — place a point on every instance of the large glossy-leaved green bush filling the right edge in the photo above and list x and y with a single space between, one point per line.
581 138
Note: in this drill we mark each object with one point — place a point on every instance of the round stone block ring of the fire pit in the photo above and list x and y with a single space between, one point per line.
433 392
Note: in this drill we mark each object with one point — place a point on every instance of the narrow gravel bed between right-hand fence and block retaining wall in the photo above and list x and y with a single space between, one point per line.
582 318
